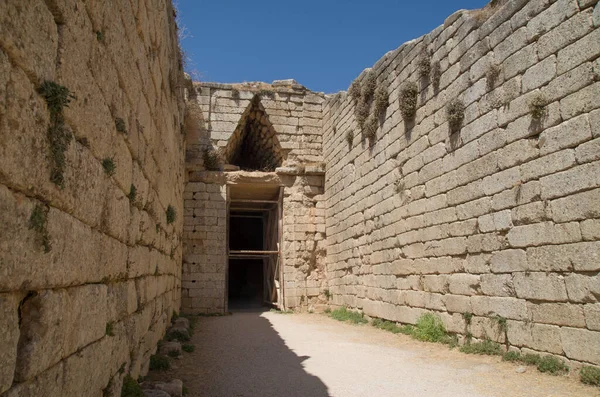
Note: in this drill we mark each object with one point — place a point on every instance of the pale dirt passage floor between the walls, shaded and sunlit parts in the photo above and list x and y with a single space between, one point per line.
310 355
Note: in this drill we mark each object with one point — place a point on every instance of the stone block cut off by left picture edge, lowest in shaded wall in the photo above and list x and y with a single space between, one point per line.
9 333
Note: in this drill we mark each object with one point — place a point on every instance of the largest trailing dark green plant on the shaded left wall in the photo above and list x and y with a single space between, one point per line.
57 98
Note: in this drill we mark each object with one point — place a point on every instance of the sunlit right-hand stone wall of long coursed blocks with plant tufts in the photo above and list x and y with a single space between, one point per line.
499 219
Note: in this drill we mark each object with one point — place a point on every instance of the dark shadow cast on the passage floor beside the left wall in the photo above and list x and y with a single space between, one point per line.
242 355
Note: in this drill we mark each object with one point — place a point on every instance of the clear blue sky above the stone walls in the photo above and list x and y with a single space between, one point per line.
322 44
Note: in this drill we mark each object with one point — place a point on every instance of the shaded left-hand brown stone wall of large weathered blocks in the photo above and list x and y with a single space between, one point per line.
89 271
